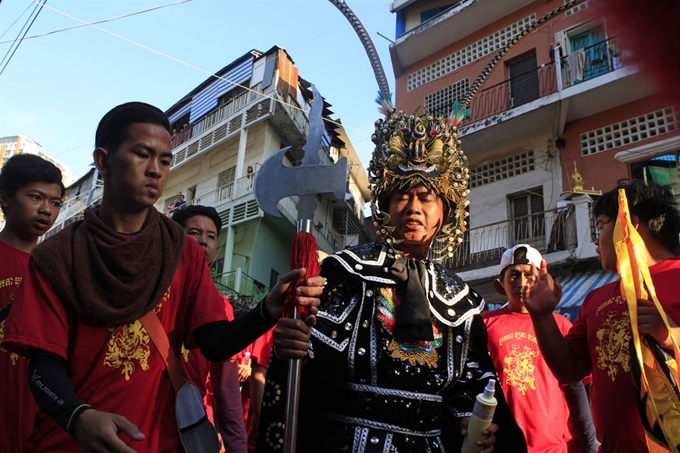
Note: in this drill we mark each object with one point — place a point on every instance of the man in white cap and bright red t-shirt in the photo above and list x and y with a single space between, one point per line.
536 398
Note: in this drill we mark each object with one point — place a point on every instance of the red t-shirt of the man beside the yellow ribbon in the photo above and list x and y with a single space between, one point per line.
600 337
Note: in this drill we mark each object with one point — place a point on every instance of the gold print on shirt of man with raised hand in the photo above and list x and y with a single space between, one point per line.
614 336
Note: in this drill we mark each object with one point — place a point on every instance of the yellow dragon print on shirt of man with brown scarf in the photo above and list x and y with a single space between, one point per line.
129 347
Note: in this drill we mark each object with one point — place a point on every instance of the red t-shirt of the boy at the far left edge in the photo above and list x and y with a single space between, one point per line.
18 408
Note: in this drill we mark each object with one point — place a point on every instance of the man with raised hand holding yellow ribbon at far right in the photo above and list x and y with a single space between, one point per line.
599 340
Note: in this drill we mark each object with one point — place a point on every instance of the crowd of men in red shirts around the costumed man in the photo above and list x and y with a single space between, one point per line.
394 347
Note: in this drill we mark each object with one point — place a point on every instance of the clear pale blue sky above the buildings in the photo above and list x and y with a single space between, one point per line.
59 83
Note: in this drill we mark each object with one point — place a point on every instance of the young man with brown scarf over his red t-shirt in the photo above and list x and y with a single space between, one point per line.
99 380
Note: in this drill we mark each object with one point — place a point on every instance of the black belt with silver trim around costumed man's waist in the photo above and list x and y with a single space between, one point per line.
412 413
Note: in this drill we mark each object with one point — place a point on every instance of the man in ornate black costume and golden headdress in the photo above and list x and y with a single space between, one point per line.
398 352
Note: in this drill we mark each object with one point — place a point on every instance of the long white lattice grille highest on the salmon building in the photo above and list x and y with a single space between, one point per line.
466 55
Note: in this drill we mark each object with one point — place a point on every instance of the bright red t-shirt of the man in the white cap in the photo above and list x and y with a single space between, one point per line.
532 391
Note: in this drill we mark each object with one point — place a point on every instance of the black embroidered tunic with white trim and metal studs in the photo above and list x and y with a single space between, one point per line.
362 389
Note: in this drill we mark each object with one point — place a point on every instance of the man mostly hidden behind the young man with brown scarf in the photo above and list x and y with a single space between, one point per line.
218 383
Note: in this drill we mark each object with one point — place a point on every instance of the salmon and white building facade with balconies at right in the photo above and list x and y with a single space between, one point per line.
562 117
